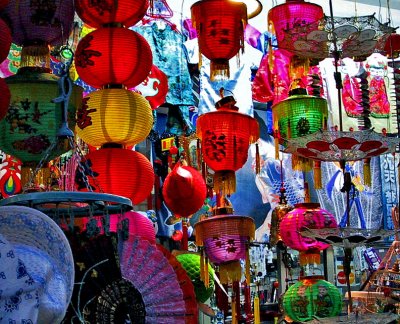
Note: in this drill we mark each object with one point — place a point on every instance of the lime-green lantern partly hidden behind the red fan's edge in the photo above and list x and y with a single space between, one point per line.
191 263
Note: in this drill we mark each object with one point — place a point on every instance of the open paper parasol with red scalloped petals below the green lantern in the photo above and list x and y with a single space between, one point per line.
338 146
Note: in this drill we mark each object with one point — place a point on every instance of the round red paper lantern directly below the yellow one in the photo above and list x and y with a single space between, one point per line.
120 172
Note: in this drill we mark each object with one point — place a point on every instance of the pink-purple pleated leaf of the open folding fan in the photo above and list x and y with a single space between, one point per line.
151 274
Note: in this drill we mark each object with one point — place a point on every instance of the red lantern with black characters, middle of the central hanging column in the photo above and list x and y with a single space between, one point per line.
225 136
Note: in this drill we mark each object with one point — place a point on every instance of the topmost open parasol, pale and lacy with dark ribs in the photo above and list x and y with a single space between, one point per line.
356 37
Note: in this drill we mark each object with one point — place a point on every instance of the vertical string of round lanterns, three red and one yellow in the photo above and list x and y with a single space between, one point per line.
113 58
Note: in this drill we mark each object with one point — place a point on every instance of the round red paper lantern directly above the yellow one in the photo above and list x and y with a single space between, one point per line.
113 55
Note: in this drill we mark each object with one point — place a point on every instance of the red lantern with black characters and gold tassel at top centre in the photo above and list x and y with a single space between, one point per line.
220 28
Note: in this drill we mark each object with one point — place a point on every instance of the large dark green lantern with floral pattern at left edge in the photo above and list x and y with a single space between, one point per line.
32 122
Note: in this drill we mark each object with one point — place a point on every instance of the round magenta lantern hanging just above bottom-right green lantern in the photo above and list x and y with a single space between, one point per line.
308 215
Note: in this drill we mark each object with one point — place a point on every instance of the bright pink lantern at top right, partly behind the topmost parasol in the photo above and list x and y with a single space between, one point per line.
293 13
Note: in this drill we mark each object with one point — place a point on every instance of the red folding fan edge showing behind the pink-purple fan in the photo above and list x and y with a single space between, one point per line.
186 285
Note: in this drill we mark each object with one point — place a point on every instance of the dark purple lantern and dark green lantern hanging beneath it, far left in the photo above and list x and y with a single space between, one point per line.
34 118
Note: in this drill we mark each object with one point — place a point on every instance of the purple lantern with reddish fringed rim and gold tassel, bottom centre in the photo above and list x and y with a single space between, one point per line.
226 239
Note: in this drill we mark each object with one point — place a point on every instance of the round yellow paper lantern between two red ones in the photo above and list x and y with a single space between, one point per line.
114 115
